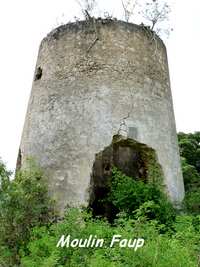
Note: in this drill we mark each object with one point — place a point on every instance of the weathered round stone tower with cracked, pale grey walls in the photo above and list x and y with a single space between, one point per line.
94 80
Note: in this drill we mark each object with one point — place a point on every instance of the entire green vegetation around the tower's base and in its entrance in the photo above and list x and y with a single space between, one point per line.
29 230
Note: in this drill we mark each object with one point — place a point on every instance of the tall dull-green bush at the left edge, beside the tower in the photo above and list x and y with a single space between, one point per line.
24 203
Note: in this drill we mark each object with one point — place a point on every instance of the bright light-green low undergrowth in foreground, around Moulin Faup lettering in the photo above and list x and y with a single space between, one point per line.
160 250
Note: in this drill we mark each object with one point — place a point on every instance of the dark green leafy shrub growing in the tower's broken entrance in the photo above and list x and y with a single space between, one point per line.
129 195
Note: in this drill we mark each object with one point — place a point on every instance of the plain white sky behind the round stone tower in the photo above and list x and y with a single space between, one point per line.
23 25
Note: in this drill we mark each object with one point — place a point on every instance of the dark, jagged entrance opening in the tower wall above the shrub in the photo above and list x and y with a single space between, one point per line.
134 159
